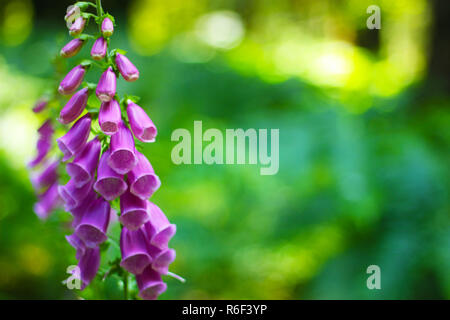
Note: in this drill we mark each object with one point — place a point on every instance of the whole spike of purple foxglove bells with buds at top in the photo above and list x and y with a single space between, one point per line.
105 166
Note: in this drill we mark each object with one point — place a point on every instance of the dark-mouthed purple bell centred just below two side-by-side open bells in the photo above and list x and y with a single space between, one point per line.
133 211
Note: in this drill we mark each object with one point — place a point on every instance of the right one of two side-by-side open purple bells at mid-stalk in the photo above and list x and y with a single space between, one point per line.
142 178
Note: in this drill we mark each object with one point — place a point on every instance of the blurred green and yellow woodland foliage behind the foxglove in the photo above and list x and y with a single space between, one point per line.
364 176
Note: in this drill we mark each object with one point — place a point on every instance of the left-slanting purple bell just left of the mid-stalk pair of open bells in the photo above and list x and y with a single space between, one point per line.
82 169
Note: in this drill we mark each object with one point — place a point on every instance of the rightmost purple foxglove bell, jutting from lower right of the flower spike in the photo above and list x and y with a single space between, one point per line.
159 230
